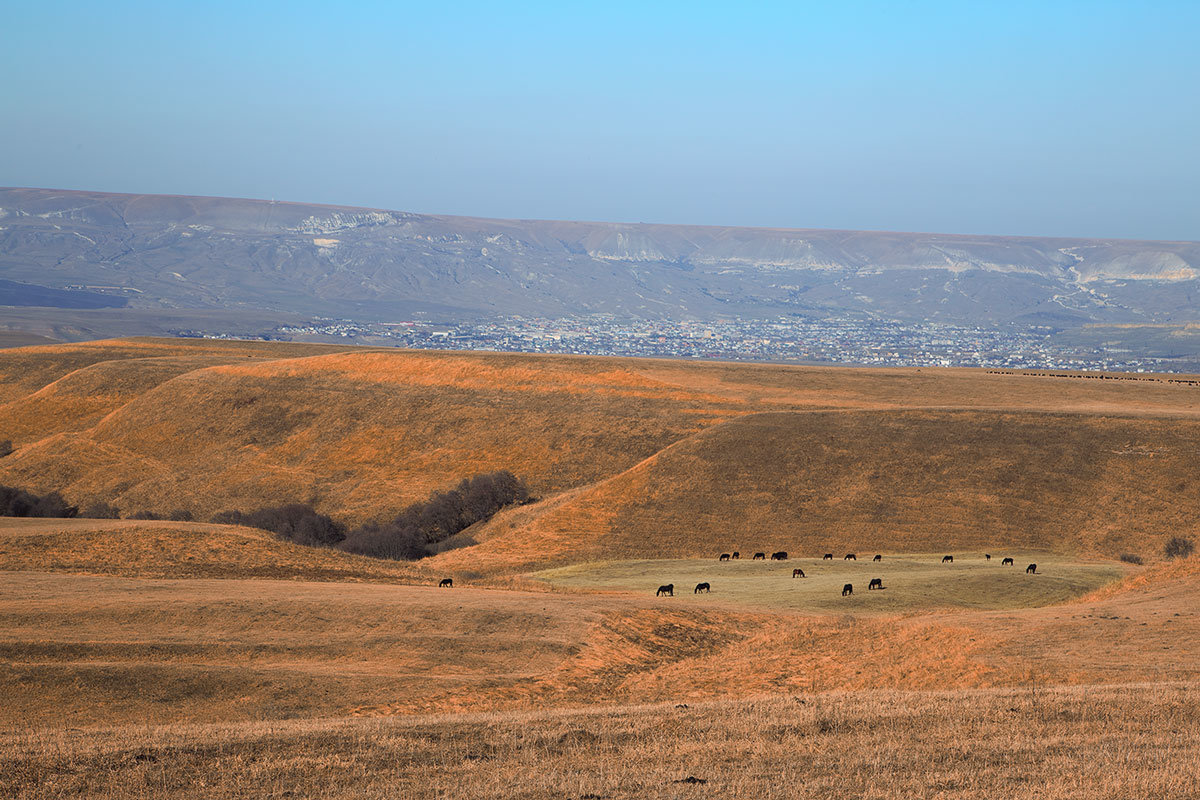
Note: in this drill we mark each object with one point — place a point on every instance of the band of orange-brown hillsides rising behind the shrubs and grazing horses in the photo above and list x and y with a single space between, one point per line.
163 425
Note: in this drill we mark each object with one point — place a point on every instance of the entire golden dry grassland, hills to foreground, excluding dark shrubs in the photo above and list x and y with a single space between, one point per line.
196 660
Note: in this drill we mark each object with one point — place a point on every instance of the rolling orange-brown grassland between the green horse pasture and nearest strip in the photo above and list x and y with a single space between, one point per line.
83 649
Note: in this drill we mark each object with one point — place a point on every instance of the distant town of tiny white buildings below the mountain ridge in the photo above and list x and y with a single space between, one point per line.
783 340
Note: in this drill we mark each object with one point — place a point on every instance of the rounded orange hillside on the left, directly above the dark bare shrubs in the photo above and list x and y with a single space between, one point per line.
362 435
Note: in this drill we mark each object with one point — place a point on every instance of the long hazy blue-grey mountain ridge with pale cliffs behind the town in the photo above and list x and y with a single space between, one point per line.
220 254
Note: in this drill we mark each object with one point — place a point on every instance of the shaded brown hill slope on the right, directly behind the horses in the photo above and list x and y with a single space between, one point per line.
878 482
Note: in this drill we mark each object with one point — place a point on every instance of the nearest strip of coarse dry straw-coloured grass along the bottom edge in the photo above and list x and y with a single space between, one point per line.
1135 743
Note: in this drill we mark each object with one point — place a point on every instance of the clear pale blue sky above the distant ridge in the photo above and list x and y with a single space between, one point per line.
1075 119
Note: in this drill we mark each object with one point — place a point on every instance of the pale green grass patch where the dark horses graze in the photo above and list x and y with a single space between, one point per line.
910 582
